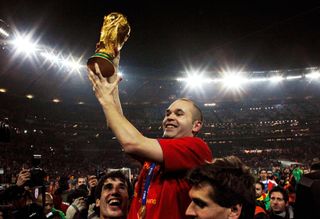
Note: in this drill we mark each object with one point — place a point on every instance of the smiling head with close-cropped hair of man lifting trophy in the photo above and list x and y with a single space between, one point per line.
183 118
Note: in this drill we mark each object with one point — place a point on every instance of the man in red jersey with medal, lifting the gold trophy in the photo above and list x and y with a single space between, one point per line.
161 190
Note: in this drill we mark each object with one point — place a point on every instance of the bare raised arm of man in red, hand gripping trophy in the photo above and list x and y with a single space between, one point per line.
132 141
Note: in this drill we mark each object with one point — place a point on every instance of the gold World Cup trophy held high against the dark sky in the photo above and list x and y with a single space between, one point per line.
115 32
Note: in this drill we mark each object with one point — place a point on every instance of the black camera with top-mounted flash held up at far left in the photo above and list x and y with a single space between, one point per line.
37 173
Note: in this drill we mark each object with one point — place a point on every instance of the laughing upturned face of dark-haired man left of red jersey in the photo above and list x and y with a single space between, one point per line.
114 200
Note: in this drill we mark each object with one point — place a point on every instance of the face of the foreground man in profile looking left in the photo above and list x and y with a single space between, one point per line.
202 206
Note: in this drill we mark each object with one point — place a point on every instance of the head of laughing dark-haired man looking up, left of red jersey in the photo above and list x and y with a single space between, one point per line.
113 194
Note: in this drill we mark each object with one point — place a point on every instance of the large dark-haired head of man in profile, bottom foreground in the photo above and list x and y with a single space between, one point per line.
222 189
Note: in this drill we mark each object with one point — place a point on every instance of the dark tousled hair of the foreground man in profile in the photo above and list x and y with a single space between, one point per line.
231 181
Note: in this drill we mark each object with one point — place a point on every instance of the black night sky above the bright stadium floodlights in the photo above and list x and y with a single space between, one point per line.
168 36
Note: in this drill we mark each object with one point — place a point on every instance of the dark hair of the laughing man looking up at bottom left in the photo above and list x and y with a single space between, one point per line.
113 175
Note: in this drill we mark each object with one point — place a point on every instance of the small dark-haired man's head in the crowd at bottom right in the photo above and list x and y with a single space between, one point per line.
278 199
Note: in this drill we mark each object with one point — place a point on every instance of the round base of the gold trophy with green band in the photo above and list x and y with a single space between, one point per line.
105 64
